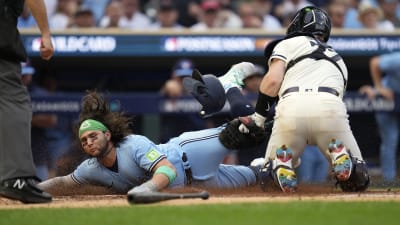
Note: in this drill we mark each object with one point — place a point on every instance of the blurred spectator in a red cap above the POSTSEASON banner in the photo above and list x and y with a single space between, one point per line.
208 16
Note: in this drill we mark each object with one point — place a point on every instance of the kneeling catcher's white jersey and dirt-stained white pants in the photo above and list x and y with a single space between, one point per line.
310 109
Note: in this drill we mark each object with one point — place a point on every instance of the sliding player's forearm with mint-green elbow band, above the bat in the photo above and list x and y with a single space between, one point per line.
164 173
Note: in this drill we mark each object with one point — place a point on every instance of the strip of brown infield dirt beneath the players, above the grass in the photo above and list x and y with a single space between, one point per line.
252 195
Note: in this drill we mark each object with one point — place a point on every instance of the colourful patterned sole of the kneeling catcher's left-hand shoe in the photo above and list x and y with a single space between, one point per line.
283 171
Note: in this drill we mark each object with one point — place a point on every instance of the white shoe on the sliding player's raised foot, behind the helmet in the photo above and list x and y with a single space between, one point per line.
236 74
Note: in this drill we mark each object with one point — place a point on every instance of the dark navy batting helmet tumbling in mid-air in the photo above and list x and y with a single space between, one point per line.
208 90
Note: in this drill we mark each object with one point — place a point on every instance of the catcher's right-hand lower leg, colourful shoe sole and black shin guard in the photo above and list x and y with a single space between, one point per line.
350 172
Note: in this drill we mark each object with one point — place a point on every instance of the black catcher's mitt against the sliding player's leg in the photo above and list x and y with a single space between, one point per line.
232 138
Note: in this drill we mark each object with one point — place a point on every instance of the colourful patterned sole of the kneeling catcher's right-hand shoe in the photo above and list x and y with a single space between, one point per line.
341 160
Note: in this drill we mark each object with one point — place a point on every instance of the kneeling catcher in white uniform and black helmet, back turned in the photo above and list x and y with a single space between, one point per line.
309 78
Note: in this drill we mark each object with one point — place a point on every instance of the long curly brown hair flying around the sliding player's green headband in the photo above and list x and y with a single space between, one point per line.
94 106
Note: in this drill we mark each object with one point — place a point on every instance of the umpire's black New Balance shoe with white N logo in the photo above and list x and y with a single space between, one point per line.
24 190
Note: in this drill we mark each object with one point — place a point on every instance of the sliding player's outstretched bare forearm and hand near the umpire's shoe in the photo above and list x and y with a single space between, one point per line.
55 184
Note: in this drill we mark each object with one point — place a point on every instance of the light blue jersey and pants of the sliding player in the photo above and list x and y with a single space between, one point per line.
137 155
